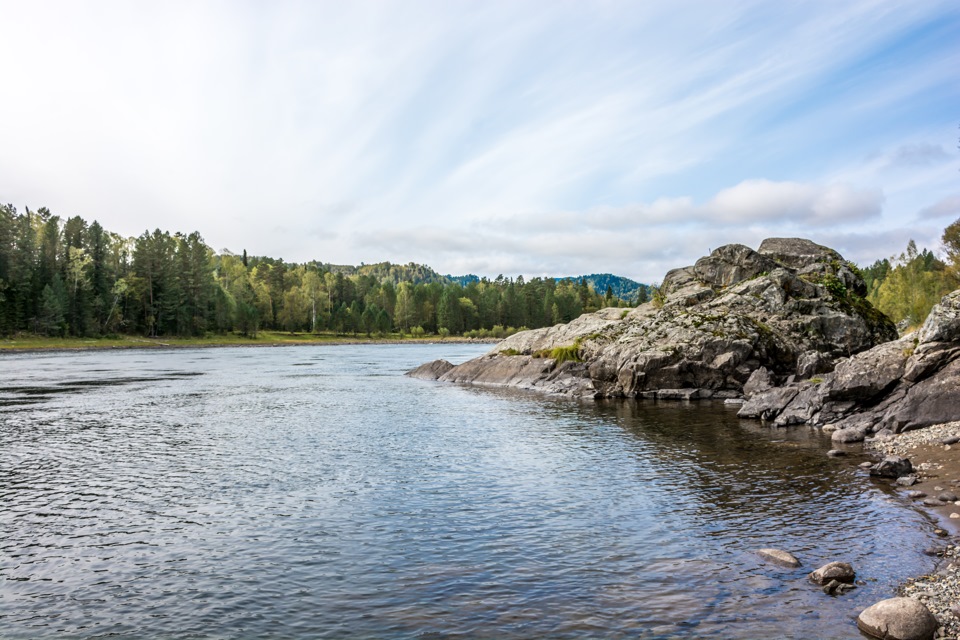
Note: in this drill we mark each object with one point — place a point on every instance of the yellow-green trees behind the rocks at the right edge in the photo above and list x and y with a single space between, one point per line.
905 287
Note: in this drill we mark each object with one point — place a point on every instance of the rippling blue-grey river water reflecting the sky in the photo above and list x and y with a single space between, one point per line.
315 492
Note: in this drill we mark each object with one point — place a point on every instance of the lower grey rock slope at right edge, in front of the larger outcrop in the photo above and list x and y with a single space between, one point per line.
904 384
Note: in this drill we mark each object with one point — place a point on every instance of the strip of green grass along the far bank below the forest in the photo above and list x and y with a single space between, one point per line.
264 338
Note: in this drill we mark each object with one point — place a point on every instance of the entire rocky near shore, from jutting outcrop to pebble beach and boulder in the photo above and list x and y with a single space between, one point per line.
784 331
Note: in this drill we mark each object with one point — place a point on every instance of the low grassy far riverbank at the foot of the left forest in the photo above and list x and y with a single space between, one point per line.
34 344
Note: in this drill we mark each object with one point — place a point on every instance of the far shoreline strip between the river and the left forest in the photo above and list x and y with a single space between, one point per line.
157 343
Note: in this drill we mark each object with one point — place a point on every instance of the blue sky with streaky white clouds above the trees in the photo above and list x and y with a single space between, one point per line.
534 137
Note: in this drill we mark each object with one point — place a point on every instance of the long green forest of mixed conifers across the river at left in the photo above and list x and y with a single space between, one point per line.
70 278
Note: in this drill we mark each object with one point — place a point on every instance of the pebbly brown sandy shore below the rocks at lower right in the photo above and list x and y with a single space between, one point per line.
938 476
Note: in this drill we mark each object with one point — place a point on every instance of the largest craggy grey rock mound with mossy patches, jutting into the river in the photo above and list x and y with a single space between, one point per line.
791 307
